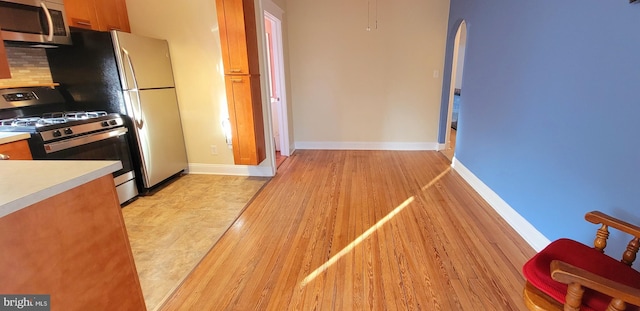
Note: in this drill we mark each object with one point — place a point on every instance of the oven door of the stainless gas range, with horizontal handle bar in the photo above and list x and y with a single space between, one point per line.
107 145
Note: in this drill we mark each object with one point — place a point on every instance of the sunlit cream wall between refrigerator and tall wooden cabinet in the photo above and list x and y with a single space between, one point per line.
191 28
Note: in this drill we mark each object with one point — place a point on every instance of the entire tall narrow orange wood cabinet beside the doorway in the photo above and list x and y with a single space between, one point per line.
239 39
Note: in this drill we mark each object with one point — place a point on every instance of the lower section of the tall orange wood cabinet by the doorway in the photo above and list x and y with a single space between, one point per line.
245 115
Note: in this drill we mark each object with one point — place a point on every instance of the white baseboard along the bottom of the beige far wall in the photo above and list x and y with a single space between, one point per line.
354 145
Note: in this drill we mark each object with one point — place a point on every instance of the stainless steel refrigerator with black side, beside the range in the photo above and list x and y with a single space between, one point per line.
132 75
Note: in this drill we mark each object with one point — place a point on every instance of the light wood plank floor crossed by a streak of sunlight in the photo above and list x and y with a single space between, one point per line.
362 230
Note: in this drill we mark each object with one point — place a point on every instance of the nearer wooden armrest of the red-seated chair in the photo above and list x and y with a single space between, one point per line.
567 274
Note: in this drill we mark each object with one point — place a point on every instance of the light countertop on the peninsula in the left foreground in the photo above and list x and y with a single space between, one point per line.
23 183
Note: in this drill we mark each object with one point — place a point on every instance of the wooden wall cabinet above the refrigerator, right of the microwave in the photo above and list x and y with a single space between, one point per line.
102 15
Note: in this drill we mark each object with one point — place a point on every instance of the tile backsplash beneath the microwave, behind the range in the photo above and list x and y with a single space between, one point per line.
28 66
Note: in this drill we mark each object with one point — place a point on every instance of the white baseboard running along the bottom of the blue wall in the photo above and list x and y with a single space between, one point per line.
526 230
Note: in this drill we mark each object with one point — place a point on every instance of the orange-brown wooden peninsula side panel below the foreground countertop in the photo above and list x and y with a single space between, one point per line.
74 247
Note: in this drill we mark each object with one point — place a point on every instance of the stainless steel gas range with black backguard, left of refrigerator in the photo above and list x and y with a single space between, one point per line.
68 135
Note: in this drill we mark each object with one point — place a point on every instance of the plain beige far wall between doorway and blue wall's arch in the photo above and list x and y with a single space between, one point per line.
349 85
